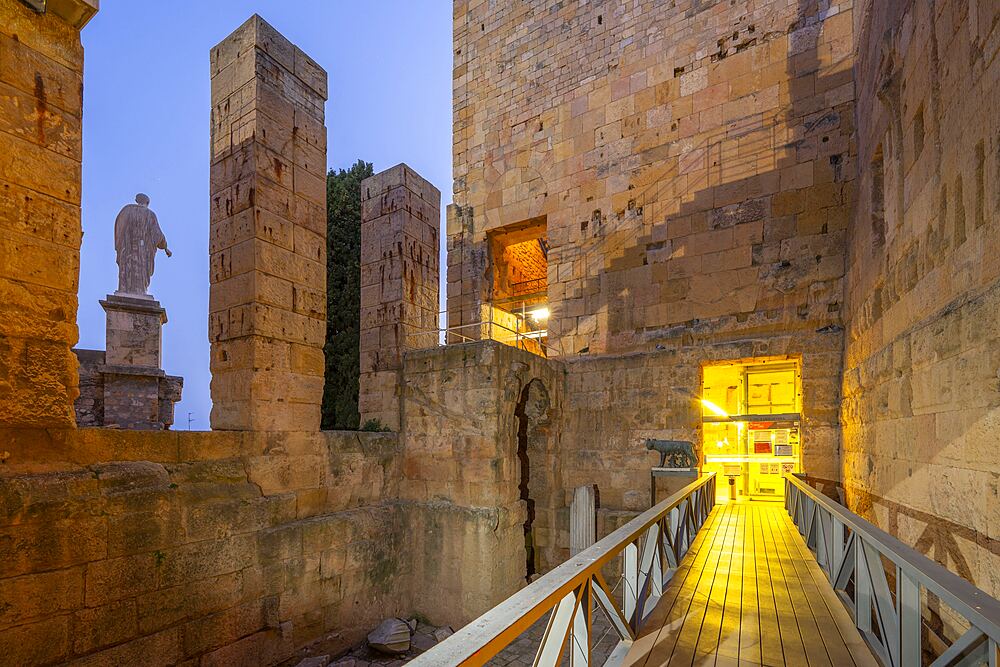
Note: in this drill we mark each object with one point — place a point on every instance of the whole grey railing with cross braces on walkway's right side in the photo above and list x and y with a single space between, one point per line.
852 553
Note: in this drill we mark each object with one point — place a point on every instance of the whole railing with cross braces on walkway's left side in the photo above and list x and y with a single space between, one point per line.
651 546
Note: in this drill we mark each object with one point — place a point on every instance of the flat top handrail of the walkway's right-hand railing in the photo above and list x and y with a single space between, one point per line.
976 605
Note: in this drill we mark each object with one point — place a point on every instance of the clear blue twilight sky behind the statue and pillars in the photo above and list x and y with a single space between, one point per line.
146 129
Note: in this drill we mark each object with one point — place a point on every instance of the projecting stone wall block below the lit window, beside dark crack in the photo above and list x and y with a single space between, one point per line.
461 474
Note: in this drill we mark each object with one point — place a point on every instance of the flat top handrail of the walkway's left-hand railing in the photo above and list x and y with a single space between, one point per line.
484 637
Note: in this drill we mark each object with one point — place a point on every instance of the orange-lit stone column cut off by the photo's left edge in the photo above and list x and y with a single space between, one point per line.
41 79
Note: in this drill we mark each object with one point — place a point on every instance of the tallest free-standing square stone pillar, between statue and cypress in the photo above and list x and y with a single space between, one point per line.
267 306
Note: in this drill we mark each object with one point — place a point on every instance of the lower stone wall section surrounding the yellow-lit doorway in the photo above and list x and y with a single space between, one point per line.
614 403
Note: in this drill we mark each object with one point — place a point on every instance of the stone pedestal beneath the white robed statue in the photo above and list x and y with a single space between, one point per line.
137 393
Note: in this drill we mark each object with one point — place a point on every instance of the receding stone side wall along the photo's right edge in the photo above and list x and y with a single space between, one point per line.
921 392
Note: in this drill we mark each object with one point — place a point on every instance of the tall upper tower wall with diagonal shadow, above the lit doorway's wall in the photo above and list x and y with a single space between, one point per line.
693 160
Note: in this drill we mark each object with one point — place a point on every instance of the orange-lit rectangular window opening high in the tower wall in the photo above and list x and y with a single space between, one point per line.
517 311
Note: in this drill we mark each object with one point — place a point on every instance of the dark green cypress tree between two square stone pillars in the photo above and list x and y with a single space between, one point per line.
343 295
